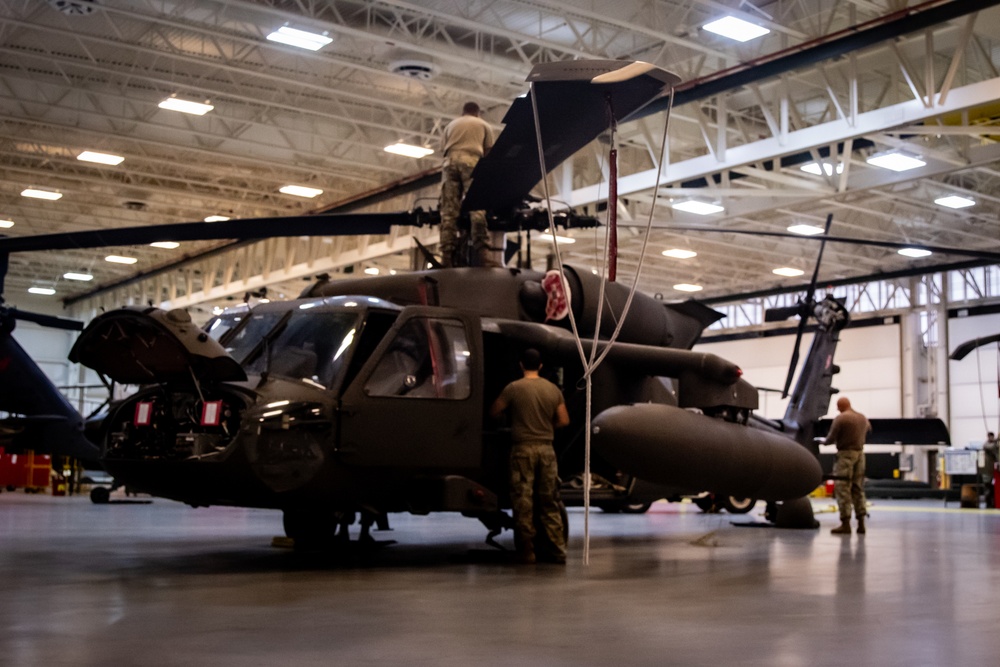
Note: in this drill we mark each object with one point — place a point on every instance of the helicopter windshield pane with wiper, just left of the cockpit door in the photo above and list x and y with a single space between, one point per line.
311 347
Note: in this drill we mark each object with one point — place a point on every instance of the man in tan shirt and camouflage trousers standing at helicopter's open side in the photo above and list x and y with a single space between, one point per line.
536 409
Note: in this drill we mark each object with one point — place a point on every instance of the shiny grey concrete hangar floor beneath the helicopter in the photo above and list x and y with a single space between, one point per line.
164 584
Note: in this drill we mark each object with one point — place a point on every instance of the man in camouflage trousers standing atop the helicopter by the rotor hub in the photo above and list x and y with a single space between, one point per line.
466 139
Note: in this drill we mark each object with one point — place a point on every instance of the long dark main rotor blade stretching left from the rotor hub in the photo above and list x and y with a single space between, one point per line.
345 224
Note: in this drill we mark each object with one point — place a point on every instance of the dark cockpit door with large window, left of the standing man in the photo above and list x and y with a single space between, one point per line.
417 402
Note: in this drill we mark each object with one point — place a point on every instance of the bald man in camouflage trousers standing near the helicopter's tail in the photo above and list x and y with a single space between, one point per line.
848 431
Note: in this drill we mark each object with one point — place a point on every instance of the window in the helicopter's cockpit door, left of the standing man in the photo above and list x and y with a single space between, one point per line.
429 358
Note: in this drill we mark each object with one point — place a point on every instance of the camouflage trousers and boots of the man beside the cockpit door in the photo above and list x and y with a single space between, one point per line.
534 494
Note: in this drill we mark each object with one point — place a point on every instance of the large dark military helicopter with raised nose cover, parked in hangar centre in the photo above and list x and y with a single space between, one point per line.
368 396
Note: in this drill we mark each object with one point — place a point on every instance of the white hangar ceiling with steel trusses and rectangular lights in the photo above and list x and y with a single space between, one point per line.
80 75
